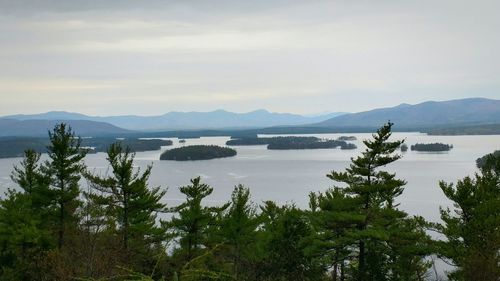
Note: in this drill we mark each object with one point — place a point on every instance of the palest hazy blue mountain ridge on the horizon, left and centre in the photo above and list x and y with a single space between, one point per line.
187 120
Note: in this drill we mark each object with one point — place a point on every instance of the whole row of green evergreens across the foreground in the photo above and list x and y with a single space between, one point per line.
114 227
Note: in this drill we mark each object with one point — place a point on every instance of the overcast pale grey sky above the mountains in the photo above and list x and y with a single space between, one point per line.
117 57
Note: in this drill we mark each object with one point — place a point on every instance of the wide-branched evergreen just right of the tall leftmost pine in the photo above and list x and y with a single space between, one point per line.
129 203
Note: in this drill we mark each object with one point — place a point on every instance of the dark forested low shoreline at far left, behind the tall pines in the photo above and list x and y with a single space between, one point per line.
15 146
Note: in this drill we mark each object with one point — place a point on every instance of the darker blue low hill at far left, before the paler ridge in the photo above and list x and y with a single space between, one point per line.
12 127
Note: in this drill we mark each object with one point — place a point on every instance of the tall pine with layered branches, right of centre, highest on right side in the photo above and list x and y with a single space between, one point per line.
370 216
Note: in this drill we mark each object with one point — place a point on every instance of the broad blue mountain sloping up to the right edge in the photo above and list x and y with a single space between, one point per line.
472 111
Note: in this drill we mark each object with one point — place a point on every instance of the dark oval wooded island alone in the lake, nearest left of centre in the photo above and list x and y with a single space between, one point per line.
197 152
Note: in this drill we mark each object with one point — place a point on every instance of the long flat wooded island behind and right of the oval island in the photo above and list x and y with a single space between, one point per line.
292 142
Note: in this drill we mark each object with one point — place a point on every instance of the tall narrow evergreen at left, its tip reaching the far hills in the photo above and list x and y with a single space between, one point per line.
64 170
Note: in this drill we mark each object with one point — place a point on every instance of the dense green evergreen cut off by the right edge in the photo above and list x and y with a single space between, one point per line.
472 229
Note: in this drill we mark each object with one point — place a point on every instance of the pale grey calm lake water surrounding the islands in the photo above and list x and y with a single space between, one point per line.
288 176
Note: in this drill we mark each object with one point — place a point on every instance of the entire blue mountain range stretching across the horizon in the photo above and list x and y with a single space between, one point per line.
466 113
